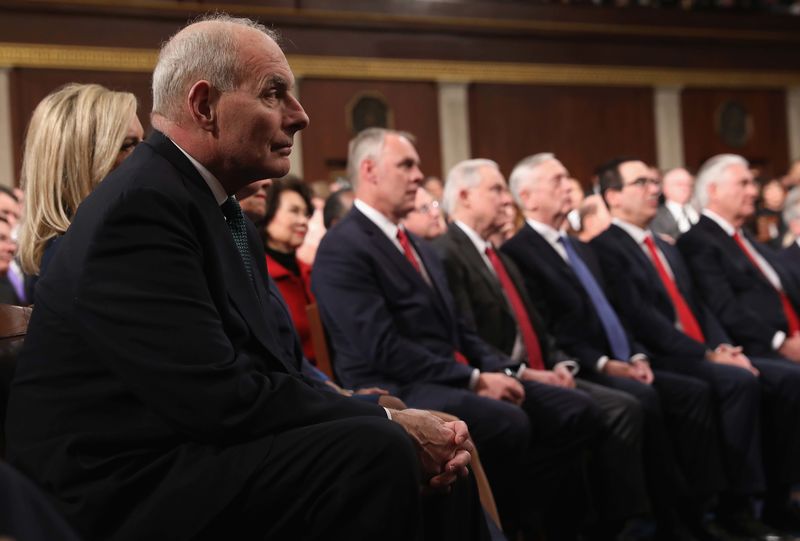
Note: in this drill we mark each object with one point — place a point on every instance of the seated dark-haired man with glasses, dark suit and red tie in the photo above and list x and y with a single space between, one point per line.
653 292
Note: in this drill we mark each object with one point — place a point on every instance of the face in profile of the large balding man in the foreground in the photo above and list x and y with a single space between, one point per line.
256 122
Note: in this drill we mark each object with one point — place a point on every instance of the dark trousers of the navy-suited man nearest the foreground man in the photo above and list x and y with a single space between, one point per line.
532 454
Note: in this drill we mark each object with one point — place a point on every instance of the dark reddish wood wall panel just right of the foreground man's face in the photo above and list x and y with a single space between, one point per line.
414 109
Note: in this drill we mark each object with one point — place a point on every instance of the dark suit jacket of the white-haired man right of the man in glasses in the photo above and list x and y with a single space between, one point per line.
746 304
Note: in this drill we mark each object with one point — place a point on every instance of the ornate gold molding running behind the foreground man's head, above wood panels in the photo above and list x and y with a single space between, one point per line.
18 55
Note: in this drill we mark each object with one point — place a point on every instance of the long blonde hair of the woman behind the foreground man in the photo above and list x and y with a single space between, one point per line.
72 143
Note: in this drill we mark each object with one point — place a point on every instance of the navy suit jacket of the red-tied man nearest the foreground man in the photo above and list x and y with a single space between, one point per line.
388 327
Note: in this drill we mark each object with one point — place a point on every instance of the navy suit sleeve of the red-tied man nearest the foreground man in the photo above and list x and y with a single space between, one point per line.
354 308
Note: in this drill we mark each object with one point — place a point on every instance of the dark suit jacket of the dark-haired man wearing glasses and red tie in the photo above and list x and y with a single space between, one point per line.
642 300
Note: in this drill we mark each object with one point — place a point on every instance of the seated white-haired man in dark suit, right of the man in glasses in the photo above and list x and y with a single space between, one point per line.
756 301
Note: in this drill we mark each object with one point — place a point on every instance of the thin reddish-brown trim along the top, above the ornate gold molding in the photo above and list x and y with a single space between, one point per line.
455 22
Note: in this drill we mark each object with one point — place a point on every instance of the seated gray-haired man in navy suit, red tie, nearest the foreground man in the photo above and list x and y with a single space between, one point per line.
384 299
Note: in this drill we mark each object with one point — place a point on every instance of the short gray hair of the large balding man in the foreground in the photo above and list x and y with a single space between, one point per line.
210 53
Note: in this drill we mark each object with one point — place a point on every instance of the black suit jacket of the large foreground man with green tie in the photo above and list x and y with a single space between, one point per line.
155 373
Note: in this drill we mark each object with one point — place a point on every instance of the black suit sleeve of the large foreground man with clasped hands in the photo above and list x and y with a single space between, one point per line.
145 304
